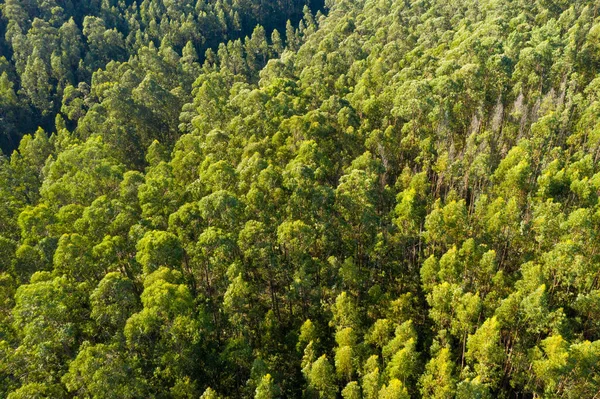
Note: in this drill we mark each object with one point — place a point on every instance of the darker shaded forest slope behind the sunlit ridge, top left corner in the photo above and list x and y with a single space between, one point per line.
49 47
